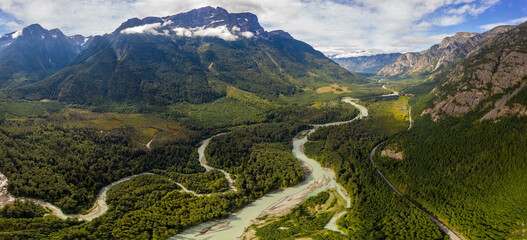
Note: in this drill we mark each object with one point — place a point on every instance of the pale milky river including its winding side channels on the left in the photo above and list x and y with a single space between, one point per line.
319 179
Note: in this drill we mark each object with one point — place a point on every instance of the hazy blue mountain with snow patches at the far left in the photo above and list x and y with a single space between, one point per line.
34 53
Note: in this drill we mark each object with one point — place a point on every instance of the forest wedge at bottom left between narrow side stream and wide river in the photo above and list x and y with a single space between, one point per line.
150 207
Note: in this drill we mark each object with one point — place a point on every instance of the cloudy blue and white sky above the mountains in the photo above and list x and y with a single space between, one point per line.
335 27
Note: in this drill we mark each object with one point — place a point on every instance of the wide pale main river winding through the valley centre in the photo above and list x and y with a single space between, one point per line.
320 179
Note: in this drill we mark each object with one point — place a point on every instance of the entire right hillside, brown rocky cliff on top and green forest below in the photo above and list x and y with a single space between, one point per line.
464 159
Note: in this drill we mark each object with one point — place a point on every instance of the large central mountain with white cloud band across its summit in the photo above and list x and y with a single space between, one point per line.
189 57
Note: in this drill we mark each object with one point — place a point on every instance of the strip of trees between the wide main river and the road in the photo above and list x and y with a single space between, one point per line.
376 212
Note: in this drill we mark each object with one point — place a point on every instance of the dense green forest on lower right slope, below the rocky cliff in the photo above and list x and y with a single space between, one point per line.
470 174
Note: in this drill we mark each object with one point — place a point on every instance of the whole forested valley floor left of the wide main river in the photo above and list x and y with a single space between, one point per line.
144 207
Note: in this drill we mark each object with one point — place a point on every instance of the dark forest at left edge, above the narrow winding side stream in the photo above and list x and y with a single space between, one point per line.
68 166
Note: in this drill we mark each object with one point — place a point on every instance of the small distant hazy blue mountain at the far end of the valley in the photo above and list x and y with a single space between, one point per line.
367 64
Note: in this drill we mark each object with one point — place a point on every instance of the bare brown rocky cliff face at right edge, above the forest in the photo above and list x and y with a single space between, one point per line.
488 79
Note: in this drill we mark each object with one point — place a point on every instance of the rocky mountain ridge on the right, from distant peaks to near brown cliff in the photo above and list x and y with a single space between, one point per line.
471 71
